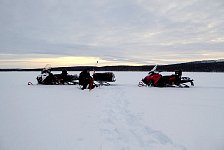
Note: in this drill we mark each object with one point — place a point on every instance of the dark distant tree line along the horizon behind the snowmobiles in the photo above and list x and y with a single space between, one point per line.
201 66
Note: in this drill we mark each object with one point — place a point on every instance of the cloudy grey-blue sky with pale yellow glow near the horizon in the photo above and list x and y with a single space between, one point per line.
110 32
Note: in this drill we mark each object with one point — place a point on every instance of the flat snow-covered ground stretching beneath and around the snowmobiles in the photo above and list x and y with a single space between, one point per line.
118 117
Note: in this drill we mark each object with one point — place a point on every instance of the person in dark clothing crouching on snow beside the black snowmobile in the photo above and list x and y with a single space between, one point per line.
85 79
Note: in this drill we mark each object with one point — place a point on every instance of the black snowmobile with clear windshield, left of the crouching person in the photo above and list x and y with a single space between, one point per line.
48 78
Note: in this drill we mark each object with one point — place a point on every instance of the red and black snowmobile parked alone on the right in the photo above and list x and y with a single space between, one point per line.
156 79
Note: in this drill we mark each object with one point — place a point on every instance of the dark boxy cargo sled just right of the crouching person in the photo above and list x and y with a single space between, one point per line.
104 78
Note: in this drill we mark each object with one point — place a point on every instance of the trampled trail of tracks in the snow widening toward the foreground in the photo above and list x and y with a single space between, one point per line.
123 129
